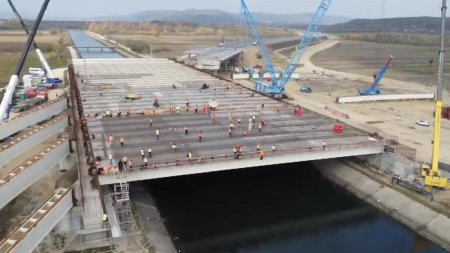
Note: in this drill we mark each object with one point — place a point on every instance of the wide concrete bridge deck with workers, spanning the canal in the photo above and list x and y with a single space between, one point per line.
296 138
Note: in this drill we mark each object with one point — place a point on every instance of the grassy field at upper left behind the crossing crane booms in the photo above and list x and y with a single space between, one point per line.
13 42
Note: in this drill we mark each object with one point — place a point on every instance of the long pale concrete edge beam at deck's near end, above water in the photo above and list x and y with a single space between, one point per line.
231 164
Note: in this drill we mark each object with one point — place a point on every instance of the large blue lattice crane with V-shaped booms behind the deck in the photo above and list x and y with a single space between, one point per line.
276 86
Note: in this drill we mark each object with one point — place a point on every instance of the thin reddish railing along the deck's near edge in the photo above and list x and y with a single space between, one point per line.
113 170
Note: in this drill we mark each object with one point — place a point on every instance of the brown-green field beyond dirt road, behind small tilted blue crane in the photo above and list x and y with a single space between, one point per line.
411 63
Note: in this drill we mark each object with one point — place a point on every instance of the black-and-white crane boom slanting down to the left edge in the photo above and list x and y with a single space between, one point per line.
6 104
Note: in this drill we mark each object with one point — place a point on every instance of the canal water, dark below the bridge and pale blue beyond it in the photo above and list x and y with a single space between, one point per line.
274 209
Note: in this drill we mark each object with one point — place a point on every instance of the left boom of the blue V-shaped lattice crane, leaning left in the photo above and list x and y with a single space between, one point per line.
259 41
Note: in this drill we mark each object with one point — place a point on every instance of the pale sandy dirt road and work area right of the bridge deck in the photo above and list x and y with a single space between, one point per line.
386 118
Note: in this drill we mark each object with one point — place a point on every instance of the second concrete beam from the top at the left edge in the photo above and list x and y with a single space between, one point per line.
25 142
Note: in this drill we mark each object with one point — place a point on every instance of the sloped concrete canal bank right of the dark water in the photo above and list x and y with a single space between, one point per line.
416 216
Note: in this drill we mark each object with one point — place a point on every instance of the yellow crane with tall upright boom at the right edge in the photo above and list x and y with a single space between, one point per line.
433 176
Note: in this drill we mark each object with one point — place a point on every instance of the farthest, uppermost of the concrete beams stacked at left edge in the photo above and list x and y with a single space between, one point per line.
33 116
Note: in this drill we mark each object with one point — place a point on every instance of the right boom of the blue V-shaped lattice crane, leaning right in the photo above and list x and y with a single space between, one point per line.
305 42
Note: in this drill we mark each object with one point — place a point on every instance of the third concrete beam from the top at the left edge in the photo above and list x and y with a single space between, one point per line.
15 182
